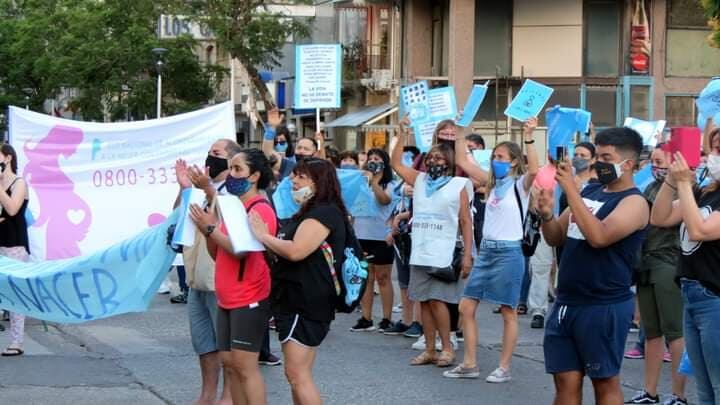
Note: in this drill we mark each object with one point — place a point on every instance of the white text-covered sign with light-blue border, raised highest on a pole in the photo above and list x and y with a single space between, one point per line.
318 75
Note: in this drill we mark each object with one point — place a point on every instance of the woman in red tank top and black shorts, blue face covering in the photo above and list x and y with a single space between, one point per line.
242 280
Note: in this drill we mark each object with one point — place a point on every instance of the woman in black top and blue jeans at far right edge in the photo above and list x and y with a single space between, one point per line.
698 212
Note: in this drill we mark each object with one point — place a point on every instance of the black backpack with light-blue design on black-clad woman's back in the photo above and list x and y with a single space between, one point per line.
350 284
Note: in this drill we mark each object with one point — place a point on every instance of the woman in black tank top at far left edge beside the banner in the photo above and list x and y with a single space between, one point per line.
13 232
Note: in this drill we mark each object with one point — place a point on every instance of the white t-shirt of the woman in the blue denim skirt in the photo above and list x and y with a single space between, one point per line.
502 216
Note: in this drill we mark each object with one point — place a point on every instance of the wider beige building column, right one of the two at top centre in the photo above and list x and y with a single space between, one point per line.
461 48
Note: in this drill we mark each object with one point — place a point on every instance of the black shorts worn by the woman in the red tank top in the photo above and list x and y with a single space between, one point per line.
243 328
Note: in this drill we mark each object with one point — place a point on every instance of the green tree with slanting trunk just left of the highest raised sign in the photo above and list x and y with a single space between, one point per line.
250 32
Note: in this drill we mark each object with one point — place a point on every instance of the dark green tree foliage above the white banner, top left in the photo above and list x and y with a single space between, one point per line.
102 48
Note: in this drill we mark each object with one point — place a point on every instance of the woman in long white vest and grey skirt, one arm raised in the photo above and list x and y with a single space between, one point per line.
441 212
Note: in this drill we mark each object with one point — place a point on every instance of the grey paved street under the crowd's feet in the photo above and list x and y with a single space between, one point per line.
146 358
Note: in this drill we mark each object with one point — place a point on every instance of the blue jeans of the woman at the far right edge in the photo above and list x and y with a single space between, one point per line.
702 338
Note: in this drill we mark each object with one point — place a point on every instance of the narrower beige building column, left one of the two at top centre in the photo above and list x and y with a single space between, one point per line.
417 39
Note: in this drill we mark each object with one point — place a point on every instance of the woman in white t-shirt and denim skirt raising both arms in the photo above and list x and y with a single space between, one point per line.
498 270
